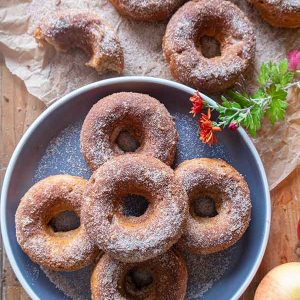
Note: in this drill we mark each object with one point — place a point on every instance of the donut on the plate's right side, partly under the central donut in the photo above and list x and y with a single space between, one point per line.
220 205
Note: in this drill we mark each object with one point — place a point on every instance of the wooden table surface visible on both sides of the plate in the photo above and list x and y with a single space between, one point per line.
18 110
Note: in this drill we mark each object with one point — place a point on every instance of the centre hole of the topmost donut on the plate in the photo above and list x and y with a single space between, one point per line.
128 141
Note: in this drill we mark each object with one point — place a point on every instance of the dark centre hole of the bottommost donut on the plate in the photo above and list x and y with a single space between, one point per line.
138 281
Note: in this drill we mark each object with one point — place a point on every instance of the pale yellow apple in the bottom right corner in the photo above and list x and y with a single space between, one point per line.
281 283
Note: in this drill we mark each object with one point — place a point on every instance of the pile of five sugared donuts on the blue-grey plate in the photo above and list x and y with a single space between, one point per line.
129 142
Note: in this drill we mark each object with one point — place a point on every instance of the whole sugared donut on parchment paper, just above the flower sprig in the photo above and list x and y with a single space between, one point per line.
221 20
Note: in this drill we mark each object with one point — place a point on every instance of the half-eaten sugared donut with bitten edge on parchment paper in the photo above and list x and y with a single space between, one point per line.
66 30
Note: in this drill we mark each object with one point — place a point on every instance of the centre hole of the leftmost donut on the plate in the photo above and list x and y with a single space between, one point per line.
64 221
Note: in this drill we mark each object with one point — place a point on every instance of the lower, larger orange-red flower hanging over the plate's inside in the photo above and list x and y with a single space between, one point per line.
207 129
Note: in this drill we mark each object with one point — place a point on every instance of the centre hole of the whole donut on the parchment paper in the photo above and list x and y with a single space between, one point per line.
209 46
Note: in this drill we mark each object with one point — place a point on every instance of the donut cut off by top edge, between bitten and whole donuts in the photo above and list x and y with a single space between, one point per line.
147 10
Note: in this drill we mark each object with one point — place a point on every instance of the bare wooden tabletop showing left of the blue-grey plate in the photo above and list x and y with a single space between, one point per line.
18 110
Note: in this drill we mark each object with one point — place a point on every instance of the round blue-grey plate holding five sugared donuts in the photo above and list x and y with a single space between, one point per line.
36 157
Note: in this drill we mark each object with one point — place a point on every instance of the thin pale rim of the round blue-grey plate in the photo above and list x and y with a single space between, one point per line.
68 97
